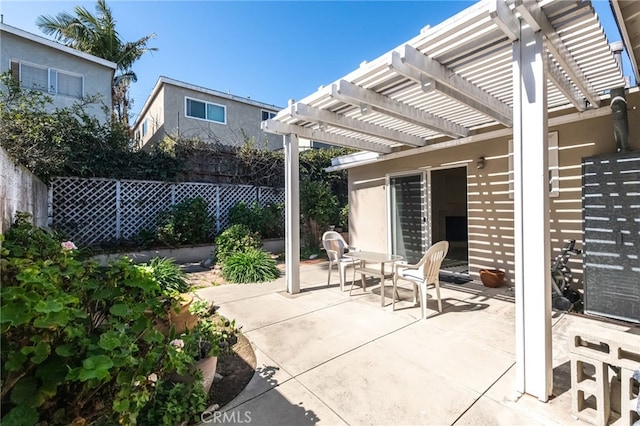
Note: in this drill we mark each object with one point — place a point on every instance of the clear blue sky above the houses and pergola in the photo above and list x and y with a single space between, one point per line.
268 51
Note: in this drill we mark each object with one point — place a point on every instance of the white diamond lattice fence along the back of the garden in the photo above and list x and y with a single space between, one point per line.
92 211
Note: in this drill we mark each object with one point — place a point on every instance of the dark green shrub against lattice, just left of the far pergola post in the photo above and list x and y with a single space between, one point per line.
268 220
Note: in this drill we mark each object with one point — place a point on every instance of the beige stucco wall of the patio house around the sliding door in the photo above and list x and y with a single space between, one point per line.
490 209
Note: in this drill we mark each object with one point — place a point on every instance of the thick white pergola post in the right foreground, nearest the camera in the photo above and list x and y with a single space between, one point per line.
531 217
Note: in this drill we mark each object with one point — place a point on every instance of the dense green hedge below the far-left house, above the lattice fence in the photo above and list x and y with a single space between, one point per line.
70 141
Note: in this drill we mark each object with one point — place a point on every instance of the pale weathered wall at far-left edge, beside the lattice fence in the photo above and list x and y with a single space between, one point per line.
20 190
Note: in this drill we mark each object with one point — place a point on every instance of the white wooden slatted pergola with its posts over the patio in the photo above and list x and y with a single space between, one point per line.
500 65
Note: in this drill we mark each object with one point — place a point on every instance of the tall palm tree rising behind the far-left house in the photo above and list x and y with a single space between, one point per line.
97 35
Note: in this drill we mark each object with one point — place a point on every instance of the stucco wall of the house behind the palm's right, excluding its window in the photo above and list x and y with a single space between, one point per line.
166 114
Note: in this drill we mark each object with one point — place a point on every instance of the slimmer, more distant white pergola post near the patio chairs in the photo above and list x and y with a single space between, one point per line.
292 212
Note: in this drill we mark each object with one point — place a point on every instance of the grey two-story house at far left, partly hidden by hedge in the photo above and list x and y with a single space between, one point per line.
65 74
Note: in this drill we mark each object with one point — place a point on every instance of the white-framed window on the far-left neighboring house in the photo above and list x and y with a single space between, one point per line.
51 80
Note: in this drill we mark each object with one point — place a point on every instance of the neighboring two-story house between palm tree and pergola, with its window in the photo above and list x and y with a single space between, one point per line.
176 108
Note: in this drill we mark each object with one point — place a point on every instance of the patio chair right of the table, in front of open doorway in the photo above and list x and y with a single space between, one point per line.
424 273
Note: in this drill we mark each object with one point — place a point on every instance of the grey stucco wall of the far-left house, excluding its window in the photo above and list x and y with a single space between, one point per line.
97 77
